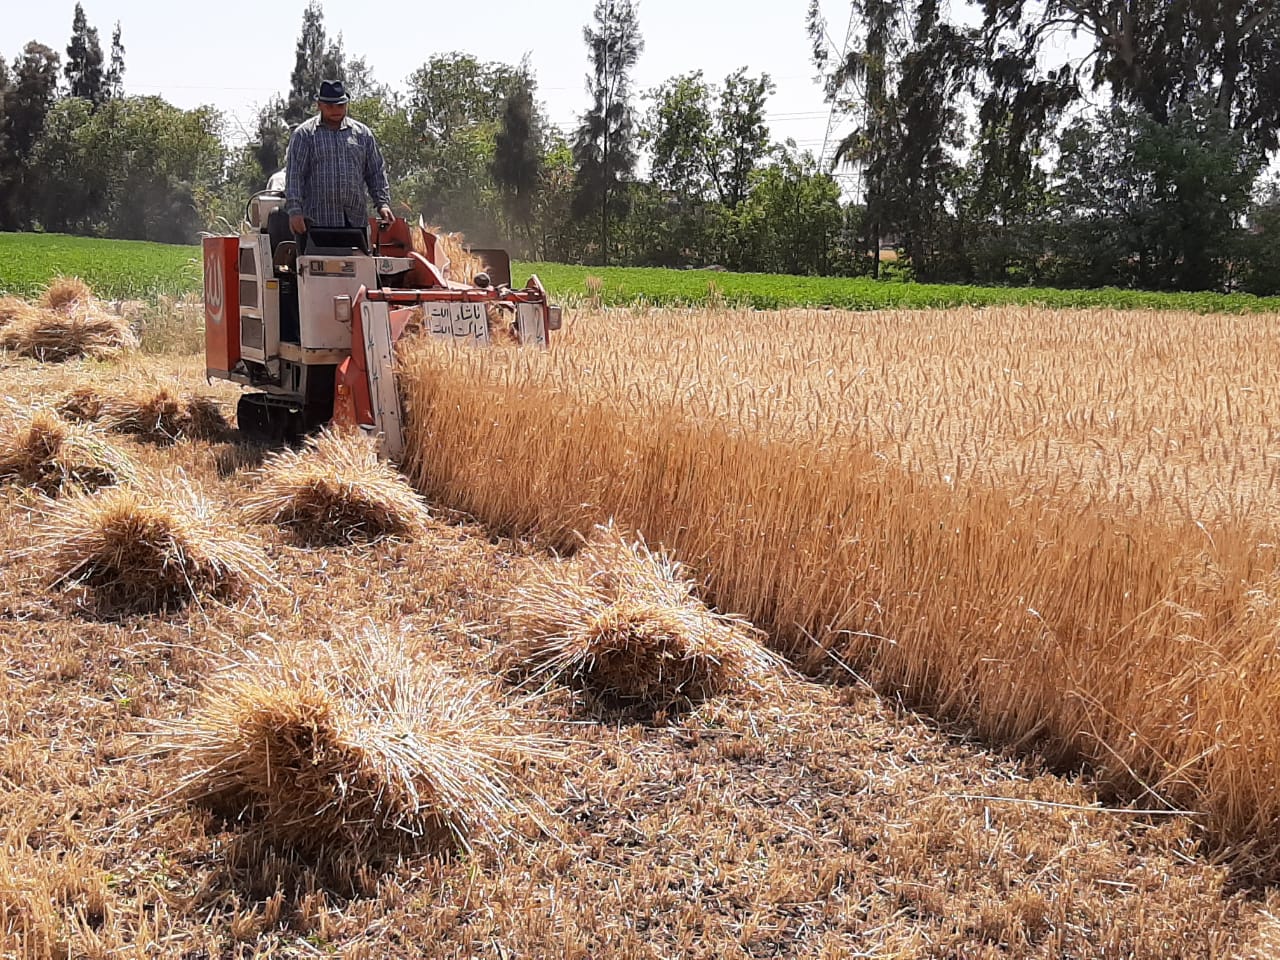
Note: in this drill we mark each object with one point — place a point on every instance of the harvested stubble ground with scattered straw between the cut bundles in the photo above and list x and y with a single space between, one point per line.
816 821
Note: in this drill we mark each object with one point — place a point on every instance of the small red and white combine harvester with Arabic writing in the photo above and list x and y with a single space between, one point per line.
314 328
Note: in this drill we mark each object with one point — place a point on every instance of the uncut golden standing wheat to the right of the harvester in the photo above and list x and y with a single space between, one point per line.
1058 527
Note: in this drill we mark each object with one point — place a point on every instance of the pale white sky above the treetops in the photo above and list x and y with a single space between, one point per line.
236 54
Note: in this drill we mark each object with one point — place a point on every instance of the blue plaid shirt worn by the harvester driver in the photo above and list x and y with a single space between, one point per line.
328 172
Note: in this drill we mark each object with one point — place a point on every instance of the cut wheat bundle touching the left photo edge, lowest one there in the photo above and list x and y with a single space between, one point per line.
49 455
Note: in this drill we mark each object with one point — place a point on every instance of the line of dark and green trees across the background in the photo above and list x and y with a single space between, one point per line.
976 157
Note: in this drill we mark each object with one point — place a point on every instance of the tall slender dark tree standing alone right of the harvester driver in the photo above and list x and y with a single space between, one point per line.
605 149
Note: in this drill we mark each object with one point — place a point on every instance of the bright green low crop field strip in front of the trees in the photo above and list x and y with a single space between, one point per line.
120 269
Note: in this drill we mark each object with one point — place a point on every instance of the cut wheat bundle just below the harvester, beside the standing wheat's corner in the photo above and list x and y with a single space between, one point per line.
336 491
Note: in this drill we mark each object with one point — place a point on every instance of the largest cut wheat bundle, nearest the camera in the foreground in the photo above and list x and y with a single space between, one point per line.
353 743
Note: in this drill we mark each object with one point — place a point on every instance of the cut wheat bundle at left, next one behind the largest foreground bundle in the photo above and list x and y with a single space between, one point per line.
149 547
